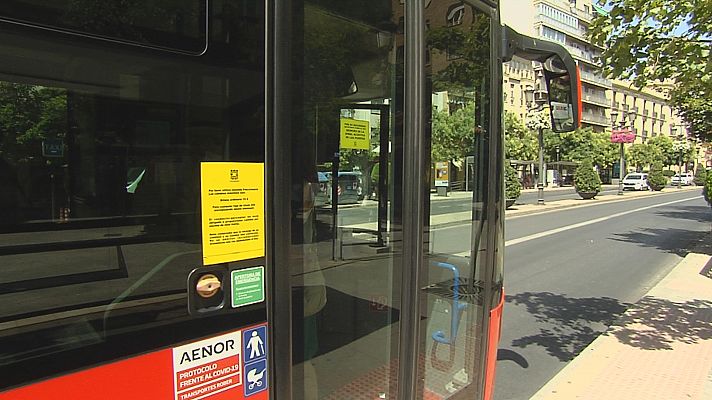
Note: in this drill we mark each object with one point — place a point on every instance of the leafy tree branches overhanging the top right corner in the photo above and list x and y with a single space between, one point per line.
662 41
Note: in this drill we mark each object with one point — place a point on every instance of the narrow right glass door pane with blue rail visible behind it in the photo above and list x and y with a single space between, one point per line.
460 78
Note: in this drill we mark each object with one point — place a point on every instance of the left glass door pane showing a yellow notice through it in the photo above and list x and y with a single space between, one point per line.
344 221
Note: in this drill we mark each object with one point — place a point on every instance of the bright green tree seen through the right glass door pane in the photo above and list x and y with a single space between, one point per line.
453 134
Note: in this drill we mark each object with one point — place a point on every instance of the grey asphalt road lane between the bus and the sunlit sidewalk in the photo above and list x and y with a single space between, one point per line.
565 288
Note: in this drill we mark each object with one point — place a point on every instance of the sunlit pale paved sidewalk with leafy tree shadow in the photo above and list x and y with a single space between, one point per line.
661 348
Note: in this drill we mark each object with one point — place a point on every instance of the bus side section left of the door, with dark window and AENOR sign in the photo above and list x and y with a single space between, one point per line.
132 150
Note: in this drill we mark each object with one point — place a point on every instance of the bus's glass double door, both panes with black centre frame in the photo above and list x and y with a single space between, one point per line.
362 288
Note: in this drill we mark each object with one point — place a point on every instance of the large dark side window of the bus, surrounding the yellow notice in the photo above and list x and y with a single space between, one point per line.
100 152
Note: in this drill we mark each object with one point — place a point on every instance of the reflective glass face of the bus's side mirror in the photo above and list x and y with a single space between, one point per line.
564 94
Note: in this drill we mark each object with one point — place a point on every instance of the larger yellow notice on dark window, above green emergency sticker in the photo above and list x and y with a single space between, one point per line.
232 206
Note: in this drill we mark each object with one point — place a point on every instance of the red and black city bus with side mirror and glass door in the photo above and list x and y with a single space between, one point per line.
163 228
